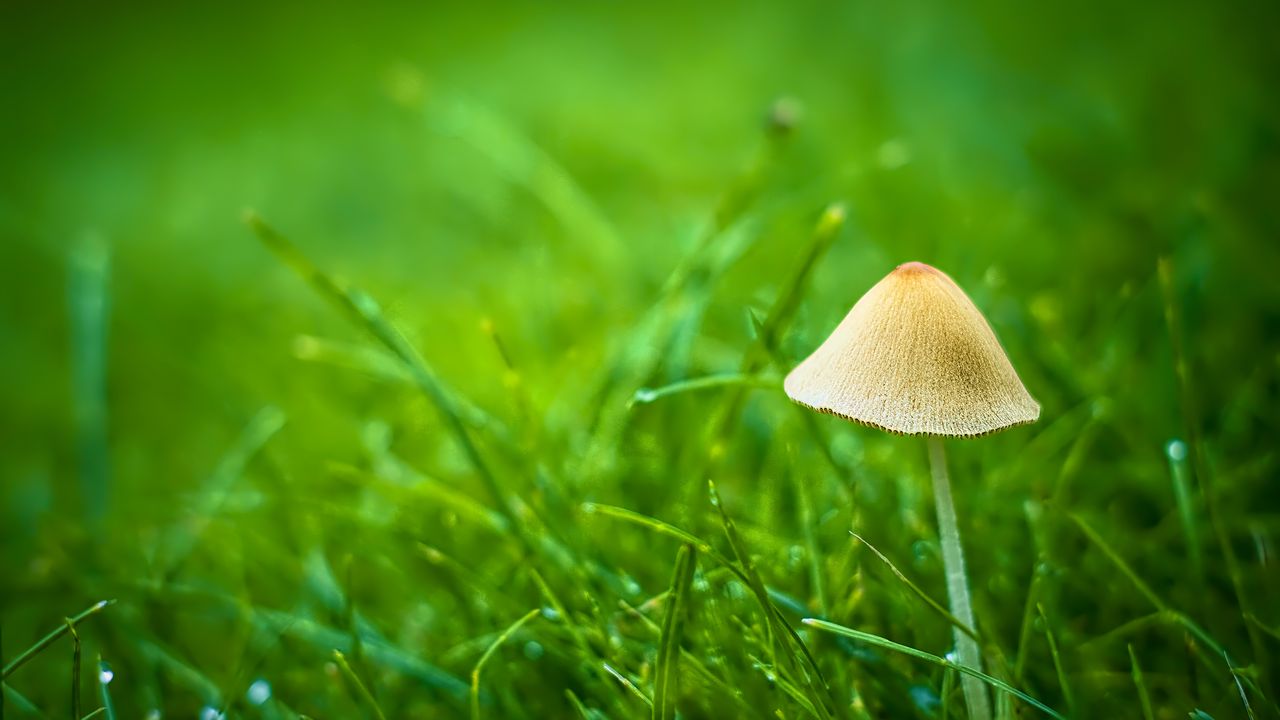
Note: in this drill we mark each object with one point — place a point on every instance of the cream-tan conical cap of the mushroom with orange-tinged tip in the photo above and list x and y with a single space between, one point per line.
915 357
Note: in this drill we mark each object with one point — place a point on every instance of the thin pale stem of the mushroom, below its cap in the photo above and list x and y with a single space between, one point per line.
958 584
